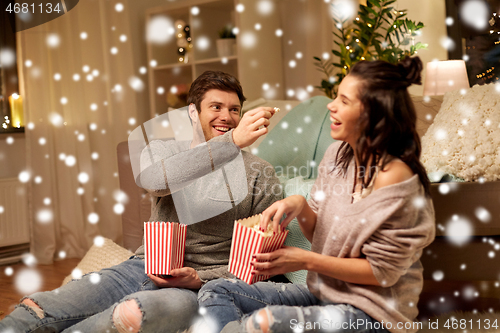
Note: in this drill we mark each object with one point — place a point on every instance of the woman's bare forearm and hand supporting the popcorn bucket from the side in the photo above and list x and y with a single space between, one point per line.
290 259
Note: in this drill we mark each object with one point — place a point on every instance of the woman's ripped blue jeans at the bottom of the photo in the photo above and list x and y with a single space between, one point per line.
233 304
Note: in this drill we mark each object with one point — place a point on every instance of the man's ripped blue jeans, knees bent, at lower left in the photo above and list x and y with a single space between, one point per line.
85 306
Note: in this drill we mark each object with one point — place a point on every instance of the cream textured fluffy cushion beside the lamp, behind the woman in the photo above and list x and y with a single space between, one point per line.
464 136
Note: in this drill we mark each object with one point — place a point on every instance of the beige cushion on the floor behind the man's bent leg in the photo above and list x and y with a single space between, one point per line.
98 257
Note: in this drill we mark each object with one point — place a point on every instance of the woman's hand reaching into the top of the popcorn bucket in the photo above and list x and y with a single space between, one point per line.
291 206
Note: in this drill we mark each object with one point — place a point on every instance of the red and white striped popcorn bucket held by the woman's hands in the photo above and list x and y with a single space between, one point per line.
247 241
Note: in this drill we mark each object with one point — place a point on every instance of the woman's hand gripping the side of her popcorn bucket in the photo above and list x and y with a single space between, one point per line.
284 260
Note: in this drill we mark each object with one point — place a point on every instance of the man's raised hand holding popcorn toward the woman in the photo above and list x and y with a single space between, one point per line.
247 131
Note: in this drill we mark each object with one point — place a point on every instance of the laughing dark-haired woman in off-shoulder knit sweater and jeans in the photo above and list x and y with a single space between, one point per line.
368 220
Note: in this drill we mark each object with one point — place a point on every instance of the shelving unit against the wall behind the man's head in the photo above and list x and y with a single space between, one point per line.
205 26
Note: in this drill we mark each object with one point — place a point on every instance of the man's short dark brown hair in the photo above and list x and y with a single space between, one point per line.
213 80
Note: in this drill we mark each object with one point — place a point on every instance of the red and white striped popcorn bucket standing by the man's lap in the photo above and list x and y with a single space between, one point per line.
164 244
